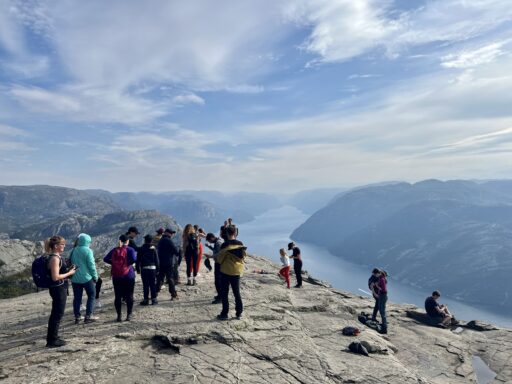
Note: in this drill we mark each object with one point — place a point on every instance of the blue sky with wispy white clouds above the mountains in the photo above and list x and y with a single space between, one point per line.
253 95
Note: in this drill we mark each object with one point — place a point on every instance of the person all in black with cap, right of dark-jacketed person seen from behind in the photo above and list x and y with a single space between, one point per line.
168 255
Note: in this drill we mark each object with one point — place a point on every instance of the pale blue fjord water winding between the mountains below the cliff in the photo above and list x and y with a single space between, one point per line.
269 232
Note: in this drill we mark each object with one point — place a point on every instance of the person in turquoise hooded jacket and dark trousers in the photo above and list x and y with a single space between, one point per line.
85 277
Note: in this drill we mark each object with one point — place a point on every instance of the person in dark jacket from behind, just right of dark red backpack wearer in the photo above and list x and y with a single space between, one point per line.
147 265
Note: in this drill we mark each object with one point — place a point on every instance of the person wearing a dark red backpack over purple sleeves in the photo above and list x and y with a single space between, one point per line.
122 259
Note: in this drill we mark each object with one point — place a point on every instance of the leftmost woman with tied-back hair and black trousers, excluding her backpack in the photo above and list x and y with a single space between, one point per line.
54 246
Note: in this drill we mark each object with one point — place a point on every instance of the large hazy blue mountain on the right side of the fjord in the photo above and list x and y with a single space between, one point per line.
455 236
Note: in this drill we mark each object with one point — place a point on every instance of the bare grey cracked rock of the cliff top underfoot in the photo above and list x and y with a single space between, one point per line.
286 336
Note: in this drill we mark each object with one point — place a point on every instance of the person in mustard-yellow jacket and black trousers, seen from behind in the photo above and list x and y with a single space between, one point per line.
232 261
